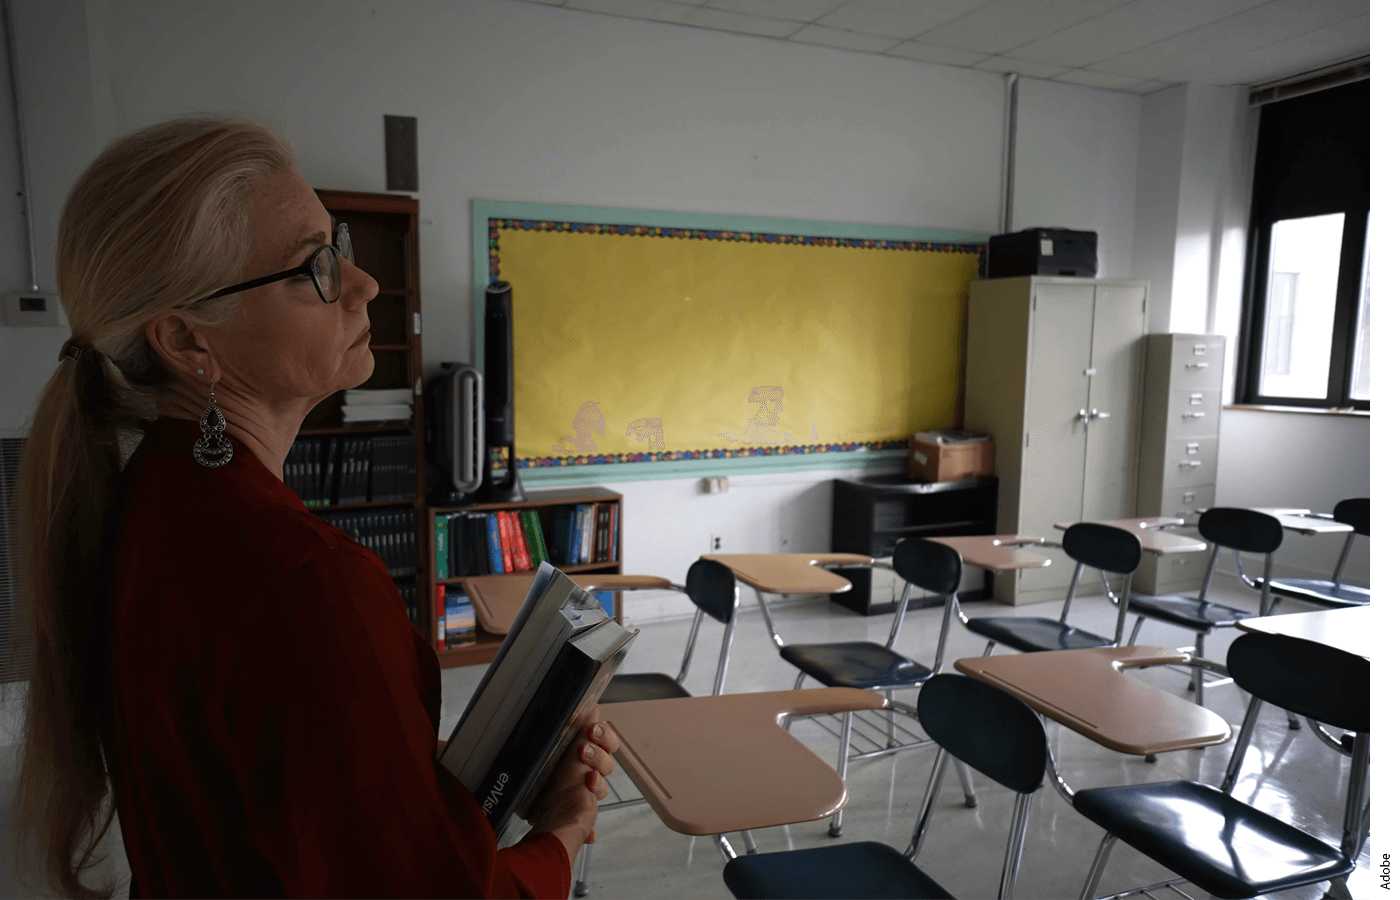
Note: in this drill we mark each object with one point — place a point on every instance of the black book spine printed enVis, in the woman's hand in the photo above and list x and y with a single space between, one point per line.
521 758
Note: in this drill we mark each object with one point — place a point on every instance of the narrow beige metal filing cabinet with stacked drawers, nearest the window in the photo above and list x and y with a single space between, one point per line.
1181 443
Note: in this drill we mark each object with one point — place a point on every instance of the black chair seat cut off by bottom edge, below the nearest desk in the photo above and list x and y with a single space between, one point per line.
838 873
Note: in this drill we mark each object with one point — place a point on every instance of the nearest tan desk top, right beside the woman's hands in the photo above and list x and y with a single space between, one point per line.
716 765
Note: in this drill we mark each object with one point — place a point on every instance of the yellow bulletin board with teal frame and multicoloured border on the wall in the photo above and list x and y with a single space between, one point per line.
701 338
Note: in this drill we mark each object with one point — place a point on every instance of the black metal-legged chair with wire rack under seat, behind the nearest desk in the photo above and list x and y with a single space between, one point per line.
880 667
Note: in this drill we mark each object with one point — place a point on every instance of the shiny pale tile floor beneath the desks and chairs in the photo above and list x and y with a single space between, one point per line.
639 857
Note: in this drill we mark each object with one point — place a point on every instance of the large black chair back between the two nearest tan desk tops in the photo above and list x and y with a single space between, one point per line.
988 729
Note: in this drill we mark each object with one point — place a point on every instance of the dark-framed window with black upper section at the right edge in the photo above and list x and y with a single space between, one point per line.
1307 330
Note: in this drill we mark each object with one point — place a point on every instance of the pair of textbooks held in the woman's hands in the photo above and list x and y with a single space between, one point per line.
549 673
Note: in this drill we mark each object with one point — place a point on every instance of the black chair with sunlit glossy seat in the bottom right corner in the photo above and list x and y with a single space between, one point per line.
1224 845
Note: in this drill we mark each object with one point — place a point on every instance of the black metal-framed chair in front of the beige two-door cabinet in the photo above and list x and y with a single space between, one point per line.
1088 544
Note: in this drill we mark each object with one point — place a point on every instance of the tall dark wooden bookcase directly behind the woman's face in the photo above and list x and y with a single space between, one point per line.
384 230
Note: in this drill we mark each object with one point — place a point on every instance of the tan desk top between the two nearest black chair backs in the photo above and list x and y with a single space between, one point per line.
1087 691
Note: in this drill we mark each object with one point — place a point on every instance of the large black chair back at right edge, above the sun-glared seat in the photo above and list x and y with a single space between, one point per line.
1311 680
